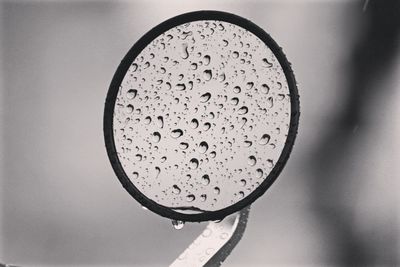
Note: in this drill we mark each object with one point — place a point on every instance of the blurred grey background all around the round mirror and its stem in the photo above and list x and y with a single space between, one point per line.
335 204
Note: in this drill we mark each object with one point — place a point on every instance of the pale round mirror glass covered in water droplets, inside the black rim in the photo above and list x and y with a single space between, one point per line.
201 116
